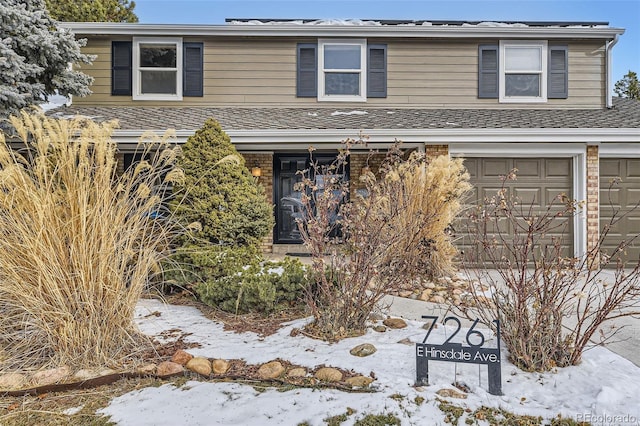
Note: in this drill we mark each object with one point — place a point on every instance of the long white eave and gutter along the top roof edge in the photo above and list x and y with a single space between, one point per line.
291 30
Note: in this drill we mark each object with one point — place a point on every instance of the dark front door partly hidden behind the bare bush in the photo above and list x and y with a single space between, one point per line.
287 199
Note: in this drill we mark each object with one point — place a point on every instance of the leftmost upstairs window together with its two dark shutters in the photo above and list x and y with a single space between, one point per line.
157 68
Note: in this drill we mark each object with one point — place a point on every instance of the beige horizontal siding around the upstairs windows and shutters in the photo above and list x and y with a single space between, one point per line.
433 74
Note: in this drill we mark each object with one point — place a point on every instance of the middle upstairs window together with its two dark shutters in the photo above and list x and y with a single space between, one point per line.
341 70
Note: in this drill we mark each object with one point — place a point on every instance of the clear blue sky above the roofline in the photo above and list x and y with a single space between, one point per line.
619 13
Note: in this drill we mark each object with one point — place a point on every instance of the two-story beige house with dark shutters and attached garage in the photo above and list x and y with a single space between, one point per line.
533 95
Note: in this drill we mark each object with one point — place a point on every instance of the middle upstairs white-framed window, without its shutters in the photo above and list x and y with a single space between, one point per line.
342 70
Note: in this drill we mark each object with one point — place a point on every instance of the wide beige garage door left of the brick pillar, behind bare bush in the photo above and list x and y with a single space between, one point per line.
539 181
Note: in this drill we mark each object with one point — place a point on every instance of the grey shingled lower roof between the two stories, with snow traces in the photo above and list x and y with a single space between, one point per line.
625 114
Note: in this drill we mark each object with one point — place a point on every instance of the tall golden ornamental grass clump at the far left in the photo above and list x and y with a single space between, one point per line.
79 242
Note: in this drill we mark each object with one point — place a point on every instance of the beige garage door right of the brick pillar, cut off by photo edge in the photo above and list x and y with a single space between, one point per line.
622 198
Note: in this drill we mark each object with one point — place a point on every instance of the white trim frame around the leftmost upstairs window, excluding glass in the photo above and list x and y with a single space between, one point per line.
137 84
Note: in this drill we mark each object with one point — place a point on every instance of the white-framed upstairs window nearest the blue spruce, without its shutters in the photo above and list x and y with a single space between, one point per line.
157 68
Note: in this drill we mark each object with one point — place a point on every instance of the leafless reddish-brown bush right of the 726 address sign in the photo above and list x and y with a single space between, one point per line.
550 305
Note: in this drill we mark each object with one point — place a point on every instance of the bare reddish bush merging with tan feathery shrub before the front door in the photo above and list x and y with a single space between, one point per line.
367 245
